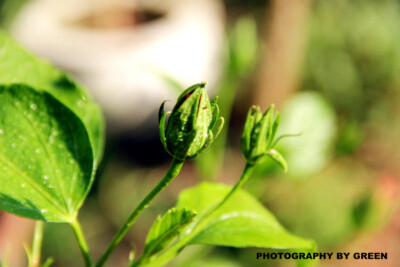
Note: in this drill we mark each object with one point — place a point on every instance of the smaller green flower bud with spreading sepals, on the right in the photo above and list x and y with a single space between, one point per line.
258 137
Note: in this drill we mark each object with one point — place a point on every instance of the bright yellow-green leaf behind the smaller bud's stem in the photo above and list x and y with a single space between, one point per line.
241 222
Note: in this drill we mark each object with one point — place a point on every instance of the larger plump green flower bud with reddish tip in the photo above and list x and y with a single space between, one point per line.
190 127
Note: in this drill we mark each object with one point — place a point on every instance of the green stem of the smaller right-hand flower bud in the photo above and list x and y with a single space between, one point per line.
173 251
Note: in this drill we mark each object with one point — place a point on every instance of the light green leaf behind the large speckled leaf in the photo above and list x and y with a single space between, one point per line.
19 67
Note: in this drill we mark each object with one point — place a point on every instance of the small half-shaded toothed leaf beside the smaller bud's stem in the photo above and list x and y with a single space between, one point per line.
166 228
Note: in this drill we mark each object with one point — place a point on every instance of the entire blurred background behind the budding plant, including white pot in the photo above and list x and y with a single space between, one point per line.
331 67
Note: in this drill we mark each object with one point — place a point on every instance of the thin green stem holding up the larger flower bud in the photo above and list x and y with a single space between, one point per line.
172 172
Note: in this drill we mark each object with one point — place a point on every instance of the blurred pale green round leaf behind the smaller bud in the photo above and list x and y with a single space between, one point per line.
311 115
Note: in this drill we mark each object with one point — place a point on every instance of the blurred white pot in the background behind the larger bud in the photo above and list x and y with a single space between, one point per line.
120 66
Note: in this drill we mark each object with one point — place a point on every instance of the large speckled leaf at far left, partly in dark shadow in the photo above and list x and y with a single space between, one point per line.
46 161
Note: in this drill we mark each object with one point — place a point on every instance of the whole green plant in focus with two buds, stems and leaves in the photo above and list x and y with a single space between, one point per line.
51 139
